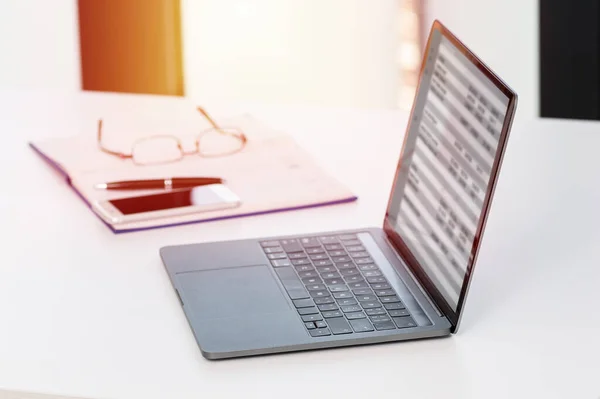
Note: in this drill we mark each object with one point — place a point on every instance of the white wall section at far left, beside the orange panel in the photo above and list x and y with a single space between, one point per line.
39 45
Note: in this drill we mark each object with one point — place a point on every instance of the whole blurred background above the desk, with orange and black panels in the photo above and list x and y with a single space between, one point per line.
350 53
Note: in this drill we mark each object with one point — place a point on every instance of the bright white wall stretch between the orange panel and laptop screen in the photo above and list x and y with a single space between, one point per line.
331 52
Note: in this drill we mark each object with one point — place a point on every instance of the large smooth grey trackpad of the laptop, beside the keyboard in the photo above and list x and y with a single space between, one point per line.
231 292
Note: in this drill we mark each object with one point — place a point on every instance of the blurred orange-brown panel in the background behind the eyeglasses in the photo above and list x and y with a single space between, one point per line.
131 46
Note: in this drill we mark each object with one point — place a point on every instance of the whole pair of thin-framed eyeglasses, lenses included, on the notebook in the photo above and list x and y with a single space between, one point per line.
215 141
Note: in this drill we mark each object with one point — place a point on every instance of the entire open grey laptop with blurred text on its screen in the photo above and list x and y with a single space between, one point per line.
407 279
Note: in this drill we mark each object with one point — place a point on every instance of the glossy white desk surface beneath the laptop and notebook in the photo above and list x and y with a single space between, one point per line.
89 313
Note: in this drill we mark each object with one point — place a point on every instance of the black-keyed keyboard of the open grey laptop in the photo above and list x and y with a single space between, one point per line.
336 286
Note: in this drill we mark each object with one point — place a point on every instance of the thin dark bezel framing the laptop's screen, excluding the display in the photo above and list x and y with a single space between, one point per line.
396 240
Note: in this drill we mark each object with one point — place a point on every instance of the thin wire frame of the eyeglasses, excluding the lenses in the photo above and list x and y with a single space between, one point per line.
215 127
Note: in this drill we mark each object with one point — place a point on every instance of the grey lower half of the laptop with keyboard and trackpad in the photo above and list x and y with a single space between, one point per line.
241 298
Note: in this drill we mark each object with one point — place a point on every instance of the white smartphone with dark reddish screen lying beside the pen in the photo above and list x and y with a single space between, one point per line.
171 203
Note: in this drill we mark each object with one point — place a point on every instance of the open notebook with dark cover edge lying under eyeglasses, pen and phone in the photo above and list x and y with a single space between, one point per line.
271 174
